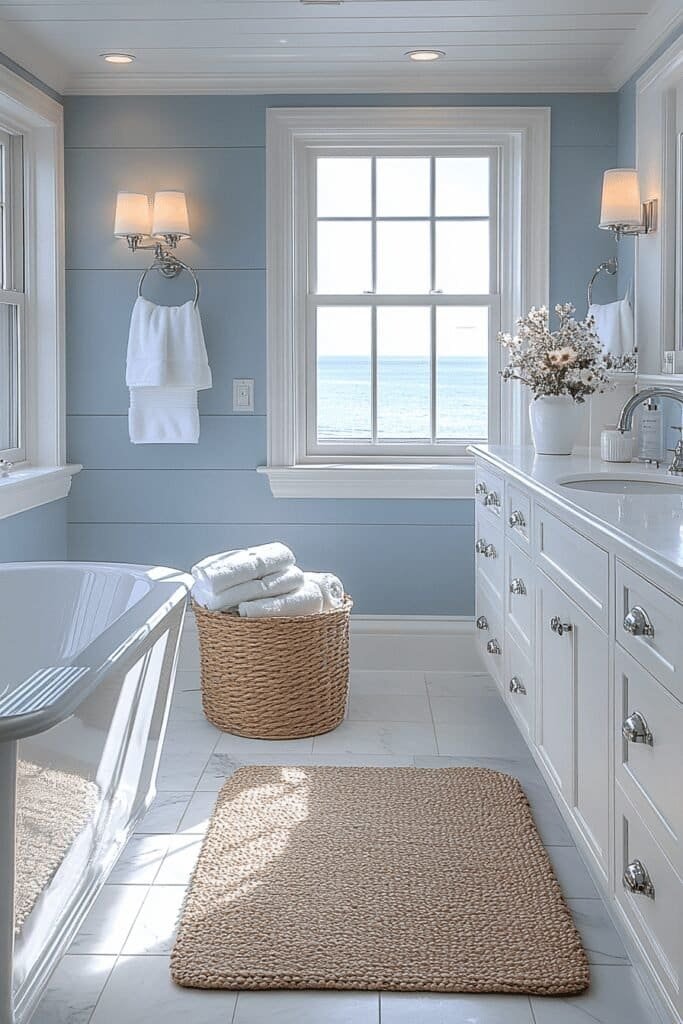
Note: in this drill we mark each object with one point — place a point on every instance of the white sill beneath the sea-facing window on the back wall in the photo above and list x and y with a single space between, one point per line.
418 482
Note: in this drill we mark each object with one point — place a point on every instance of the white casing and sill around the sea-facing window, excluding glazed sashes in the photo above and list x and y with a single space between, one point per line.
522 137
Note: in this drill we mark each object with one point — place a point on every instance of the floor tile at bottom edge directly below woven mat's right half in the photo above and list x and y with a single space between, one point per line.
416 1008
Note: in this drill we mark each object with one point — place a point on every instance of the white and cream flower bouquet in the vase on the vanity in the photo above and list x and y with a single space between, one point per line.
570 361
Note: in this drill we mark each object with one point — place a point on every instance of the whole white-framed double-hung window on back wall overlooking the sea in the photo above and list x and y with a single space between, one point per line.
400 243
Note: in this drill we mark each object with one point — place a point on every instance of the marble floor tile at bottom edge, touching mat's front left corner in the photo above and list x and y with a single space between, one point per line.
141 992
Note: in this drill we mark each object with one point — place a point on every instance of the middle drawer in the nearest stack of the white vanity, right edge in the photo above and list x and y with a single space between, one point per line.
650 765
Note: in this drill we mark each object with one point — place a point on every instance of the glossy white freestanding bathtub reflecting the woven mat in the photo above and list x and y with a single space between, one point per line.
88 660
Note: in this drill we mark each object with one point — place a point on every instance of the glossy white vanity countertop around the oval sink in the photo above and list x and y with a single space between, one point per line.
651 525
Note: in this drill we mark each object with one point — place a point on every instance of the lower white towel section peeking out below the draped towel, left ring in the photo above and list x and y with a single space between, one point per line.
163 416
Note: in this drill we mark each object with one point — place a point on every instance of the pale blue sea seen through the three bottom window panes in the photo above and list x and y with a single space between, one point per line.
345 398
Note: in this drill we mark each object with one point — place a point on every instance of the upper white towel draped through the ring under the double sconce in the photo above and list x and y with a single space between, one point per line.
166 348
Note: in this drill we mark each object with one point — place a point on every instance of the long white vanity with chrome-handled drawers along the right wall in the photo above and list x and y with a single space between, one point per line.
585 639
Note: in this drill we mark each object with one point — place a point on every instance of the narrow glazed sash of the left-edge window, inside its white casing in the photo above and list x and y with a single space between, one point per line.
12 300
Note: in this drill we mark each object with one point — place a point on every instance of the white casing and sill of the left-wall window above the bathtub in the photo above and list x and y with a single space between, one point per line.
42 476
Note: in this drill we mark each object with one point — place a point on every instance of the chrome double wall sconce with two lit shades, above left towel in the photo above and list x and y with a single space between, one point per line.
164 222
